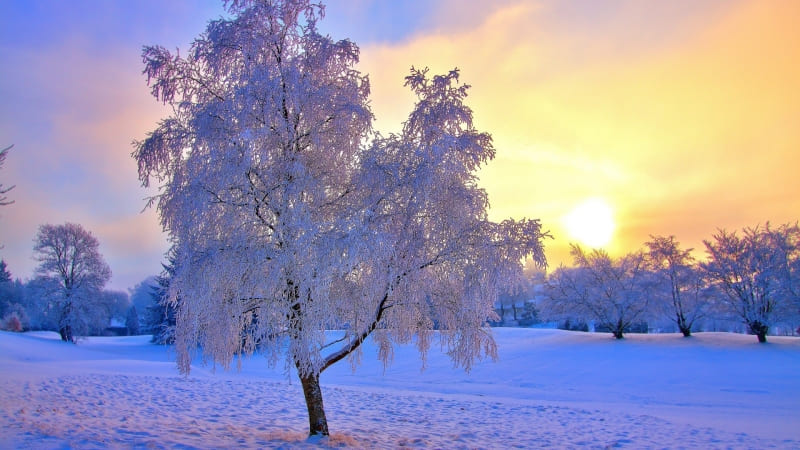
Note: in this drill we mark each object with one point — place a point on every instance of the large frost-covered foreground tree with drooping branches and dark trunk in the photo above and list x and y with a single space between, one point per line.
288 223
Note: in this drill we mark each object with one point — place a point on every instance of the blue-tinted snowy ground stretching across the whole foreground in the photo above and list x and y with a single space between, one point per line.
550 388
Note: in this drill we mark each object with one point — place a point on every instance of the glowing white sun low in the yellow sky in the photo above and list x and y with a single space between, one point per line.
591 223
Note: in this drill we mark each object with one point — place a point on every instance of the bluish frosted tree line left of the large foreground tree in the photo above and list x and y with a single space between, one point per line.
68 291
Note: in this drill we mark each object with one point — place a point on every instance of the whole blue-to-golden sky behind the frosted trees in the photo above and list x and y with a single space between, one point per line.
680 117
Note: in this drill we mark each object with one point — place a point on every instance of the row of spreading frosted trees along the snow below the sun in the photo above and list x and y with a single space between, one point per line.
752 276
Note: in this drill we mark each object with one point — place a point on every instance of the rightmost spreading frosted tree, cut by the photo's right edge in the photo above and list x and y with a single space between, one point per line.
757 273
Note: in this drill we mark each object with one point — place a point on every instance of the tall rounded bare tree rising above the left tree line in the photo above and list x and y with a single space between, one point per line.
70 276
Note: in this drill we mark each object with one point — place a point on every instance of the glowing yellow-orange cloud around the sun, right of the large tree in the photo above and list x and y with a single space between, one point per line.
688 128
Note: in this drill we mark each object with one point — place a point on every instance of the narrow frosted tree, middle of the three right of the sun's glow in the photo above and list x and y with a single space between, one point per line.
680 290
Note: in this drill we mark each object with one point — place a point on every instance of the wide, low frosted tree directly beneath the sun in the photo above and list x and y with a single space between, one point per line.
613 293
